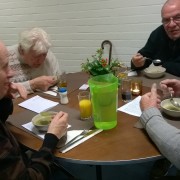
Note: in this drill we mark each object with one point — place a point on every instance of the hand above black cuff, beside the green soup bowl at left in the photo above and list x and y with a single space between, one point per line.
58 125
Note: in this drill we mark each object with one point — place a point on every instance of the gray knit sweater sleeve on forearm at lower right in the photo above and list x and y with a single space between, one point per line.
165 136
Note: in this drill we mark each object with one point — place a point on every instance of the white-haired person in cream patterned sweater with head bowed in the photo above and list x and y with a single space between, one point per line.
34 64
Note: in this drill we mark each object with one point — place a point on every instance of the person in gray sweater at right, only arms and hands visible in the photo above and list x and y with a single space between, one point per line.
165 136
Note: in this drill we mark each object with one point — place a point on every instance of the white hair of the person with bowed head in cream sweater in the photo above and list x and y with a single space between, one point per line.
36 39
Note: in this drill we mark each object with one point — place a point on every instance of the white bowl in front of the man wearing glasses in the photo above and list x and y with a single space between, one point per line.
155 71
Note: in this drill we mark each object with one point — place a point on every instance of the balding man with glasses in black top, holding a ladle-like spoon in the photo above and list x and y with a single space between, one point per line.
164 42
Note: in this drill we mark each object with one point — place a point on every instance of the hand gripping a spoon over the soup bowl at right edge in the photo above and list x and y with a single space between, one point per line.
170 85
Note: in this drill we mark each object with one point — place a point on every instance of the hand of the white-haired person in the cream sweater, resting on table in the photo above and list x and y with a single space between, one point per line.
43 82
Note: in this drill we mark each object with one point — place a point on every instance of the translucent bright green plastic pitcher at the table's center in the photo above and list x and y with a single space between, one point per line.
104 97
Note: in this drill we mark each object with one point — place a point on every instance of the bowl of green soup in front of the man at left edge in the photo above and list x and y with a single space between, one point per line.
41 121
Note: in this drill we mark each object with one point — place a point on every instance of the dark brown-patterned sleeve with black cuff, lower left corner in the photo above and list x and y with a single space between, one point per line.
37 167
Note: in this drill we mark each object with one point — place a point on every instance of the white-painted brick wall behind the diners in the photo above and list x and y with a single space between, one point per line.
77 27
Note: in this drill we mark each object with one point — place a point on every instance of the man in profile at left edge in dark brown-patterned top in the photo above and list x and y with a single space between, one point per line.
14 164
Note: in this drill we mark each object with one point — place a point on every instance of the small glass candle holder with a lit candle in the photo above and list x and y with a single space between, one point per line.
136 87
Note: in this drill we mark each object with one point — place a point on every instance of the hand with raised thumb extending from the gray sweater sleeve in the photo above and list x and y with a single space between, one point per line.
150 99
